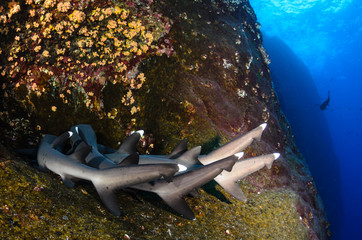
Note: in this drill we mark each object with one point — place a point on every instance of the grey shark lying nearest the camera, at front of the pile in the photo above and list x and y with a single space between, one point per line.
107 180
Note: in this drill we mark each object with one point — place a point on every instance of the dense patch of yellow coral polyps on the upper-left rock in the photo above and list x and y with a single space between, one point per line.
77 39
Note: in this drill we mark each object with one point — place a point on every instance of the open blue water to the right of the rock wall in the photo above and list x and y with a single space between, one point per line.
315 47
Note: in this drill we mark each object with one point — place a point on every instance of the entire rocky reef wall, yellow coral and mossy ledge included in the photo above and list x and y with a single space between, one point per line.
193 69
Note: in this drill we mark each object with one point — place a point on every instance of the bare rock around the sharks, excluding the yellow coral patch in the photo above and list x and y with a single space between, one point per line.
215 87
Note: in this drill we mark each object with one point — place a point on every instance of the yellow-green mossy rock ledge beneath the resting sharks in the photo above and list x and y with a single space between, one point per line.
37 205
